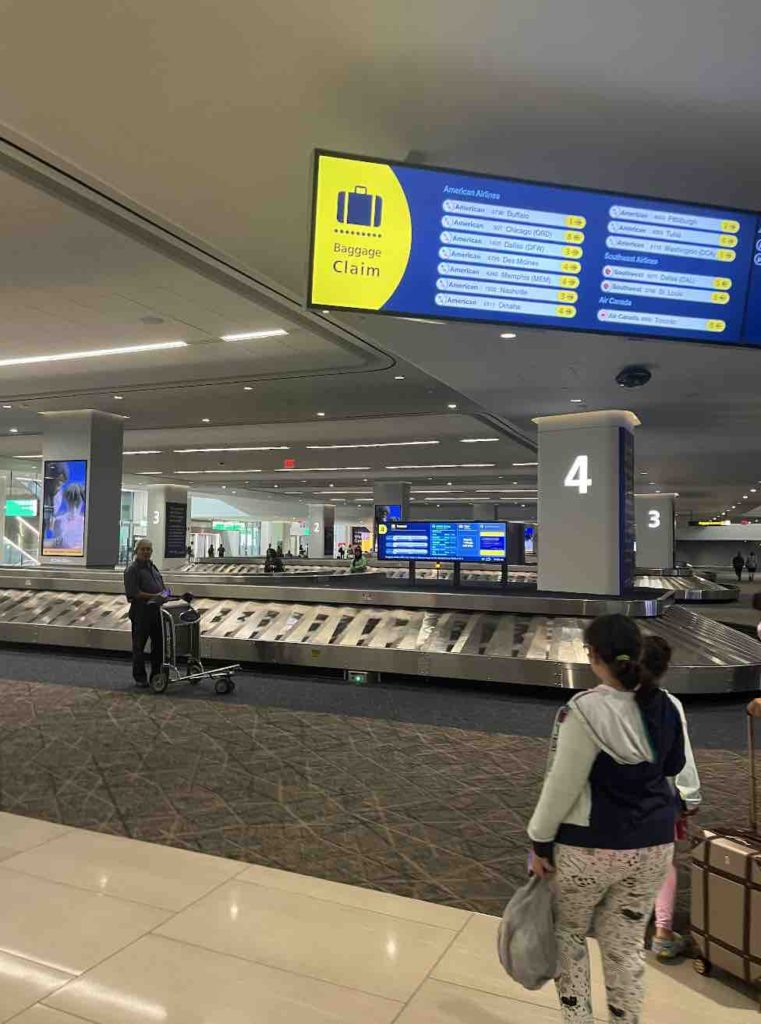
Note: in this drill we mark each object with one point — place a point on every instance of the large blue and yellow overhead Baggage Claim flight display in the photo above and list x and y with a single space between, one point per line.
429 243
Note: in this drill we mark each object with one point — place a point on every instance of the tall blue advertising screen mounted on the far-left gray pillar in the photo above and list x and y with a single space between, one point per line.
64 507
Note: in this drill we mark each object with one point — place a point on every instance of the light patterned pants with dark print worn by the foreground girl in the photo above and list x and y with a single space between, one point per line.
613 891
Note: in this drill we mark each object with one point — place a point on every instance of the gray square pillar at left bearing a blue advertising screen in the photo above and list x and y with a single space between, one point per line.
96 439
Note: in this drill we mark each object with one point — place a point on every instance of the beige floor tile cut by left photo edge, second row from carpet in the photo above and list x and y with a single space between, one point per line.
67 928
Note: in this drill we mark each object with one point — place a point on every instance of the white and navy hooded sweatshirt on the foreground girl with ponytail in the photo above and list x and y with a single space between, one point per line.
610 782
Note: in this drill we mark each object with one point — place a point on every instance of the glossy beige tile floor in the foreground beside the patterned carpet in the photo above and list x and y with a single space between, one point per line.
112 931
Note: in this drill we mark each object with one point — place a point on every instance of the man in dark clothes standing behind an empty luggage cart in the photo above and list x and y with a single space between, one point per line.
146 592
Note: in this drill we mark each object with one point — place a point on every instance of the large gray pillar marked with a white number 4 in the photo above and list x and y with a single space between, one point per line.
586 502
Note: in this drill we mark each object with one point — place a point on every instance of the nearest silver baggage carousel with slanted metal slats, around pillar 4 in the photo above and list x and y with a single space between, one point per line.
370 623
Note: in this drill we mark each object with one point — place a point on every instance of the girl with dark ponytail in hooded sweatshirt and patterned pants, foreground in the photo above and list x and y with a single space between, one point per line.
604 828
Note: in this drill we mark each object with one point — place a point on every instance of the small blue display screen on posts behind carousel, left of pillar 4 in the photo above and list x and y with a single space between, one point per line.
444 542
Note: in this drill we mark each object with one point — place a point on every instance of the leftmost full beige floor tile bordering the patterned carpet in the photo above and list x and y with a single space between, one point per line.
145 873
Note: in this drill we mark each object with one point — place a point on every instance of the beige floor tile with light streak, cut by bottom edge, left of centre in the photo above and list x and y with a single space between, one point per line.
158 979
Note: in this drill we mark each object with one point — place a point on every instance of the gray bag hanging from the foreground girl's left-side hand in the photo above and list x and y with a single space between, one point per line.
526 944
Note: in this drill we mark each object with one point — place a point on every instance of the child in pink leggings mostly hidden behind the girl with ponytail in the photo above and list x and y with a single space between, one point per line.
668 945
